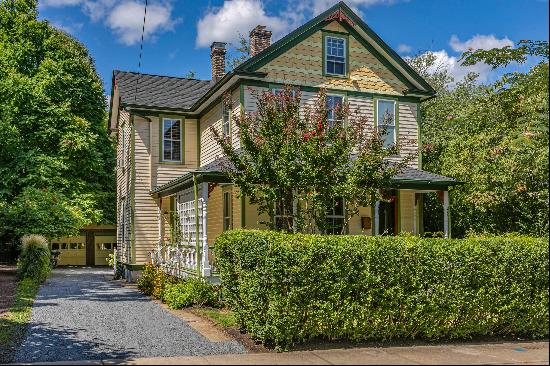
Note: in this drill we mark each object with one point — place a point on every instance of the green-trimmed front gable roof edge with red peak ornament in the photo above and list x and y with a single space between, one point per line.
355 25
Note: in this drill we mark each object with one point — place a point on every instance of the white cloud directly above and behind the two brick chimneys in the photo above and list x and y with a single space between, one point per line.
223 24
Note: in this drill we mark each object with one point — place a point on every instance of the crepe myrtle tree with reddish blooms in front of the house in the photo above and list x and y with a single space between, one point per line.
297 162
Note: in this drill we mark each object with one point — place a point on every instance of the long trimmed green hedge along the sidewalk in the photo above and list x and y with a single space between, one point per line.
288 288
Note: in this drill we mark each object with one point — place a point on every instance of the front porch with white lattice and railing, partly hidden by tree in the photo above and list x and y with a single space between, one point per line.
197 207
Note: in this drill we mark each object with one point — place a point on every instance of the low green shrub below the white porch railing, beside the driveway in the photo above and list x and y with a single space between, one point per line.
190 292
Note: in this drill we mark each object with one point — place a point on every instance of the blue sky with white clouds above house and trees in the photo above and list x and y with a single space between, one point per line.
179 32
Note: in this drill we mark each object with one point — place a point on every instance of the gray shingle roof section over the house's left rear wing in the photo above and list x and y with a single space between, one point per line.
159 91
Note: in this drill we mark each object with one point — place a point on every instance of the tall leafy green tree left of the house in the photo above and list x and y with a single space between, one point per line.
54 145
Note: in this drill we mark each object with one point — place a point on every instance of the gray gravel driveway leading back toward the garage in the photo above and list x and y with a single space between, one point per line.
80 315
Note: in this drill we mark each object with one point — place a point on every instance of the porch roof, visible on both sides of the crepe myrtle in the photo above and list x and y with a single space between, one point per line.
408 178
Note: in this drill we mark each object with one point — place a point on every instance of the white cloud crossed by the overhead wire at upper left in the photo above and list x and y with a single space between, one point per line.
125 18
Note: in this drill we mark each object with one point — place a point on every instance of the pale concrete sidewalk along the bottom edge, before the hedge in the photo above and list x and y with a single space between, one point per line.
530 353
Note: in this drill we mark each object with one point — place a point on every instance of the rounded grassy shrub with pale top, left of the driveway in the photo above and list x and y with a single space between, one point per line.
34 260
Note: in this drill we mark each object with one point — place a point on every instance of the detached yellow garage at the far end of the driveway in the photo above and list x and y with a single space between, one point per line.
91 248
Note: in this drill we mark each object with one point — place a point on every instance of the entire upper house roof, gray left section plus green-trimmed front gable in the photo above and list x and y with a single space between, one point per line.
181 94
